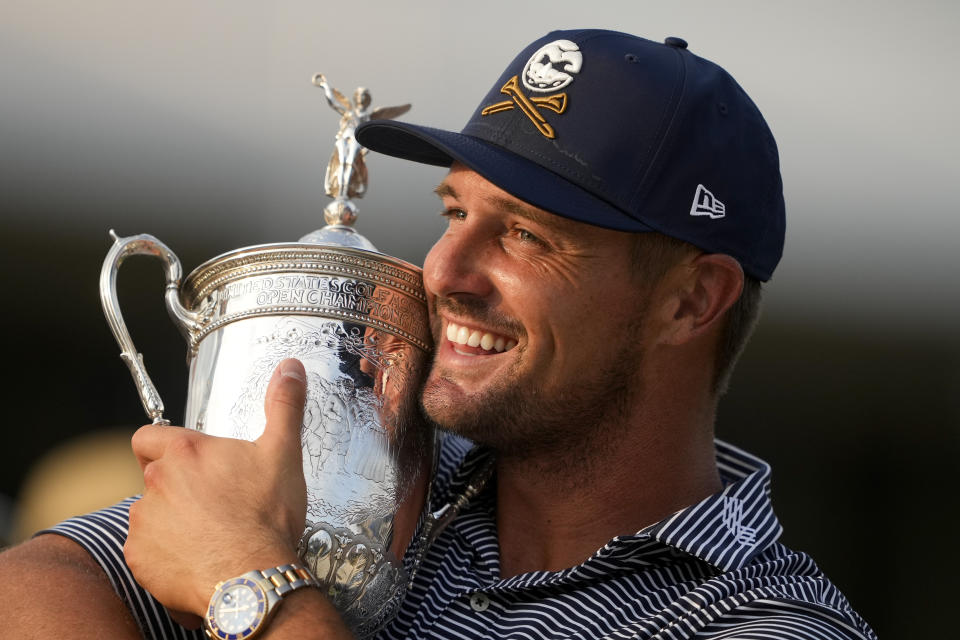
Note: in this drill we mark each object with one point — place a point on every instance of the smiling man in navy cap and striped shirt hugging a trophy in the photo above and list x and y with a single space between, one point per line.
612 207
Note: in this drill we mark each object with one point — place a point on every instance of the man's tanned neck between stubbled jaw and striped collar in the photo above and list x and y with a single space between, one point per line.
554 512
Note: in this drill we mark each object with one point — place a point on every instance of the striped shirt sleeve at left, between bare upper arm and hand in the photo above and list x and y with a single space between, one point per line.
102 534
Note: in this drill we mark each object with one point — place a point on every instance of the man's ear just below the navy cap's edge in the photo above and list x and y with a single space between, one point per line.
708 286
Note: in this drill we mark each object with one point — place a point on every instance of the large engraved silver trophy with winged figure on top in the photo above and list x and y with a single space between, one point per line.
357 319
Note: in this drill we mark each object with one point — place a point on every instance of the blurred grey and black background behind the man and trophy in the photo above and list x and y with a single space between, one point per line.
197 123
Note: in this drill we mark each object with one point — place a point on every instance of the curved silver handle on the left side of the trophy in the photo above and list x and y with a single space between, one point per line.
122 248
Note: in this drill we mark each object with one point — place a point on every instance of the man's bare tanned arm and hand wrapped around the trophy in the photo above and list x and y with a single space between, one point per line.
213 508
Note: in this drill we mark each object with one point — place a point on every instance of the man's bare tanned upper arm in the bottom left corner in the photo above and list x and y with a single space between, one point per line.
50 587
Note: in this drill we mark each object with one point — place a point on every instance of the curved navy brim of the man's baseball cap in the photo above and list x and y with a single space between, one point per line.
517 176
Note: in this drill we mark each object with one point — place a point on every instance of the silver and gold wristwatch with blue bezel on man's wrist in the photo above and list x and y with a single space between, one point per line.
241 607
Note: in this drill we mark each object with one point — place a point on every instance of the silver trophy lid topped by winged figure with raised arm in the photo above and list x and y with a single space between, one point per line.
346 175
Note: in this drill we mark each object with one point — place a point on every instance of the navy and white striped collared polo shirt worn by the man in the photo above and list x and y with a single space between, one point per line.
713 570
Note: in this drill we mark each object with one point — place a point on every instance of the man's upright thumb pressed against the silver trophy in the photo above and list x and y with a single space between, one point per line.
283 406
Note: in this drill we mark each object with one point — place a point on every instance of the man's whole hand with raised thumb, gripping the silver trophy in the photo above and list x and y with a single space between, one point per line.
214 508
